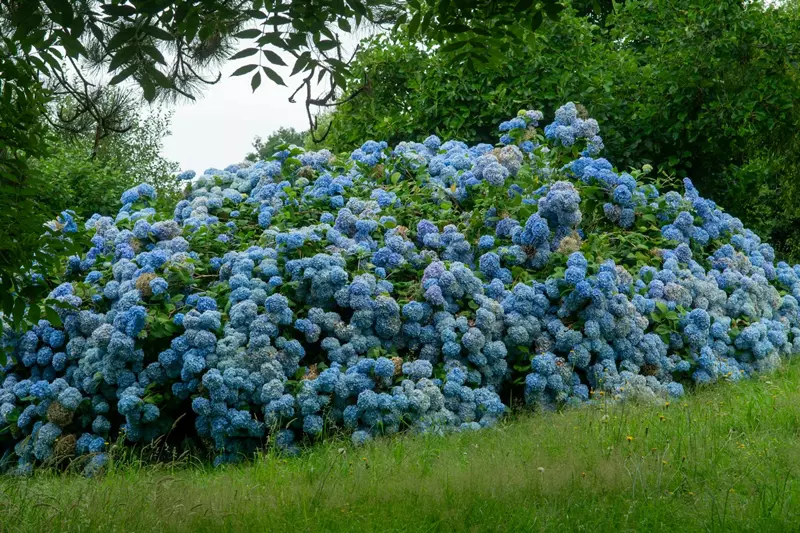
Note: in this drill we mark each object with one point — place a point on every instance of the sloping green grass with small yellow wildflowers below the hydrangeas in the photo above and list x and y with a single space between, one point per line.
724 459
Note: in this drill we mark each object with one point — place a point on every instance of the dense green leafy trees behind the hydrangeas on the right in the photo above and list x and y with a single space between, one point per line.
703 89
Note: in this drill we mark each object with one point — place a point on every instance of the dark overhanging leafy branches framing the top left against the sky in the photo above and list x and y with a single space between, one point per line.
172 48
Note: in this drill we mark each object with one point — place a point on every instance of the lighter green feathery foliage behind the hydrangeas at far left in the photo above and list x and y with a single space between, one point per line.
80 165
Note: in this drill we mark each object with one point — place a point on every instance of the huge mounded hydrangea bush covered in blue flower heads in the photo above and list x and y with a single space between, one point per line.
425 287
